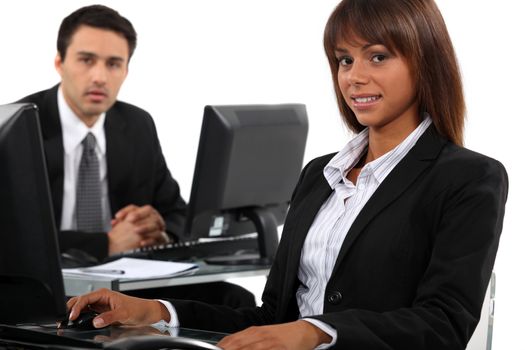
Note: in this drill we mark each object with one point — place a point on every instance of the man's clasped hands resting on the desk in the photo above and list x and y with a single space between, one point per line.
135 227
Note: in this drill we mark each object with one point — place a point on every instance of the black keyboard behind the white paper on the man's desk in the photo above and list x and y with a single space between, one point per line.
190 250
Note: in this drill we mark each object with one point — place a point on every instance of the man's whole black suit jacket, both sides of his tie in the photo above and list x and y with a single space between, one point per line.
137 171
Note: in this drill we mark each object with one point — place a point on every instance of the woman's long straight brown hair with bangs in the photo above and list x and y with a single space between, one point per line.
416 30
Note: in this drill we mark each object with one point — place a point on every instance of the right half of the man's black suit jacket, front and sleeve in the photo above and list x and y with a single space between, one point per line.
137 170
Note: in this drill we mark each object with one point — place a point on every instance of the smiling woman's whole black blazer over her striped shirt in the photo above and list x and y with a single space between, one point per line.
414 267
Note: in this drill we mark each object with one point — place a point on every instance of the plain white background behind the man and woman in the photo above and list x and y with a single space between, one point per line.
193 53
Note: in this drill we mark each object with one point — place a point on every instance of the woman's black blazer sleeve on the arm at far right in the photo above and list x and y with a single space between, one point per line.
448 299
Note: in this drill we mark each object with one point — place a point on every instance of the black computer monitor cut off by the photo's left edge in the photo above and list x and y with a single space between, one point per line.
31 284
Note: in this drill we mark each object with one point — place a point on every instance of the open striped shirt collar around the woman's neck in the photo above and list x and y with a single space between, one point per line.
337 168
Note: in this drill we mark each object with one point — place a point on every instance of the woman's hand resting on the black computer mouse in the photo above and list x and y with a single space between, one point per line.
117 308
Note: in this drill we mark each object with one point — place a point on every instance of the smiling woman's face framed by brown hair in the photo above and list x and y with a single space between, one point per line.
378 86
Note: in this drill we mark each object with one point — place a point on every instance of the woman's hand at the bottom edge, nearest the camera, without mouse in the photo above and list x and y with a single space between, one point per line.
287 336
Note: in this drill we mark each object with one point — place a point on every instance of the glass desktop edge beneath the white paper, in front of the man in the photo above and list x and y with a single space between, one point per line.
77 285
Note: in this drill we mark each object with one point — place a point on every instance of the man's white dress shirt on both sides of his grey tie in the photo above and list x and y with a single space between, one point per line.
73 132
